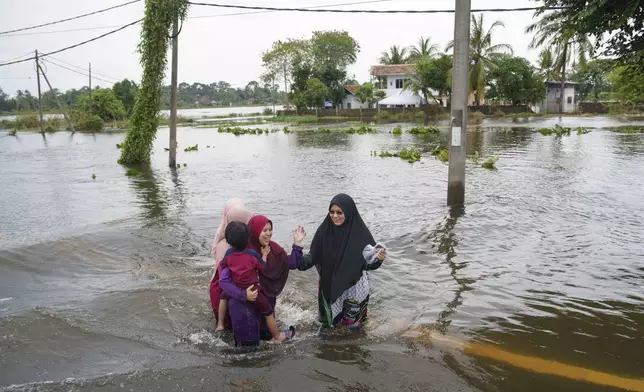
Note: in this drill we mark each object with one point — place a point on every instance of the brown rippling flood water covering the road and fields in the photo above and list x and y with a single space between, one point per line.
103 282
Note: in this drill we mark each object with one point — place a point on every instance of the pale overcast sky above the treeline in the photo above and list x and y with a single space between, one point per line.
215 45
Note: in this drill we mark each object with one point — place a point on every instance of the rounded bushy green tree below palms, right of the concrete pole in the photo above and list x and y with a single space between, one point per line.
516 80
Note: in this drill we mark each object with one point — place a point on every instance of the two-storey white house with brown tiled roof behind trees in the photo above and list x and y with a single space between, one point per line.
391 79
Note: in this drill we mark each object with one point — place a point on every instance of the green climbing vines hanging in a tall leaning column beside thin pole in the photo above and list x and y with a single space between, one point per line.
156 33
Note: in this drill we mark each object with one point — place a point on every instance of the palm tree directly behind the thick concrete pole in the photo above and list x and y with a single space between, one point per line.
483 55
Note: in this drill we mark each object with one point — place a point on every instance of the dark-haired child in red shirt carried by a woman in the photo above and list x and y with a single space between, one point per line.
244 265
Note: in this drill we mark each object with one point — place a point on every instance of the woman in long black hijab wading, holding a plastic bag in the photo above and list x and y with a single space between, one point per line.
342 250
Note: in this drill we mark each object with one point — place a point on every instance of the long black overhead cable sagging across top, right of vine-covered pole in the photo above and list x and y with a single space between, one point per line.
443 11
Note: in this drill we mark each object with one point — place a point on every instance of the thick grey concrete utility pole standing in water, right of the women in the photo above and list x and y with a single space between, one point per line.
460 90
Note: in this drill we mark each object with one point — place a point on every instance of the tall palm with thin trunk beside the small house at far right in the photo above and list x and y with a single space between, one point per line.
570 46
